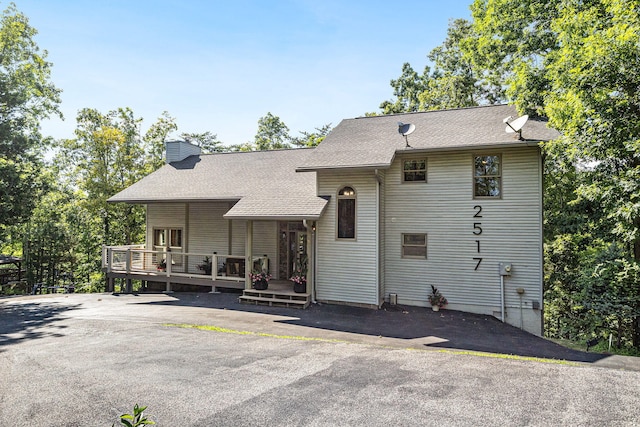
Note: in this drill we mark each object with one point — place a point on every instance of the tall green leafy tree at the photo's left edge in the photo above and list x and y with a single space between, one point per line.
26 97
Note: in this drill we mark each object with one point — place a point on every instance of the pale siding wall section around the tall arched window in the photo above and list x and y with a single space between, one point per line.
347 268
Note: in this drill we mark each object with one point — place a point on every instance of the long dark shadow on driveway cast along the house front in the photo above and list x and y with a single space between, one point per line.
445 329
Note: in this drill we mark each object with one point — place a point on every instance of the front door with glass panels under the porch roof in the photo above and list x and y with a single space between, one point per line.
292 248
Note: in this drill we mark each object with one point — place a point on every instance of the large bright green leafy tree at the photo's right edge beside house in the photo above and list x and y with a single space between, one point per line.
578 62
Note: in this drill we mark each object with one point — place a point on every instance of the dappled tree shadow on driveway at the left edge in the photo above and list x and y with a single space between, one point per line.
20 321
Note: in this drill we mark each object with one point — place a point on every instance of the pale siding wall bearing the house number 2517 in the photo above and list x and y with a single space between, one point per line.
444 209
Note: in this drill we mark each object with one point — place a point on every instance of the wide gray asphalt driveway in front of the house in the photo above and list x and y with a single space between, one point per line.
77 360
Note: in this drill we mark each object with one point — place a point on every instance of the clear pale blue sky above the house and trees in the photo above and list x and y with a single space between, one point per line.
221 65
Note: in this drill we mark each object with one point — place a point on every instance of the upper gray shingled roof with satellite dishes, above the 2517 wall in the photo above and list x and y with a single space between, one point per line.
374 141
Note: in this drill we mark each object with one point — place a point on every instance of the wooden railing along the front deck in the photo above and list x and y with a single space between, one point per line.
137 260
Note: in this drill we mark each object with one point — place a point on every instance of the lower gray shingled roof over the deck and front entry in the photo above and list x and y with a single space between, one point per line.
265 182
